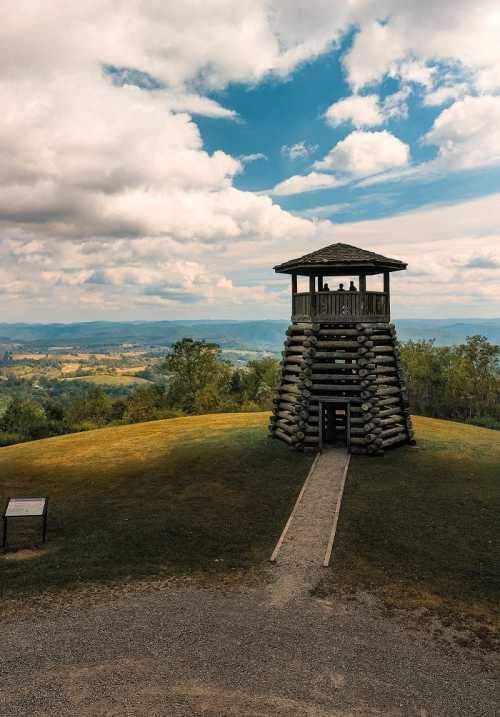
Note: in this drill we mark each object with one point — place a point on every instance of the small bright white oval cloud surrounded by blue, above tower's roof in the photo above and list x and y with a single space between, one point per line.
364 153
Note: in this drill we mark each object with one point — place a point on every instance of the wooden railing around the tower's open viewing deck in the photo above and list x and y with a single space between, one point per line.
341 306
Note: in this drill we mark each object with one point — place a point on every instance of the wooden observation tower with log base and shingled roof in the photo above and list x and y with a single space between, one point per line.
341 380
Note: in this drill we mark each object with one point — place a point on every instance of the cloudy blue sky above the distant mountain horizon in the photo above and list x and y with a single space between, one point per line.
158 159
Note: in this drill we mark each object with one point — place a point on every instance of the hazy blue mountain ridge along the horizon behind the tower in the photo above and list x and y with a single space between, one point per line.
265 335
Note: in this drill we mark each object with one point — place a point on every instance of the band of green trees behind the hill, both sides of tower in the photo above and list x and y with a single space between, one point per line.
456 382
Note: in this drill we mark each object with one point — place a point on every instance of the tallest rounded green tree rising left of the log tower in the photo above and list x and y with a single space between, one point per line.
199 379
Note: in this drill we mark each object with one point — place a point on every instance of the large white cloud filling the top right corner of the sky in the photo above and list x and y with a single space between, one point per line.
414 38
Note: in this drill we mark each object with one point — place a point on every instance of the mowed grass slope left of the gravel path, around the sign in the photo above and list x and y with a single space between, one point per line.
207 493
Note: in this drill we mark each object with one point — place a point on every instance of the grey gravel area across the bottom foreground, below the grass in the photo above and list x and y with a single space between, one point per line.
185 652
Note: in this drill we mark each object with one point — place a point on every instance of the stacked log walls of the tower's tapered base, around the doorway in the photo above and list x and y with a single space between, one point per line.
359 363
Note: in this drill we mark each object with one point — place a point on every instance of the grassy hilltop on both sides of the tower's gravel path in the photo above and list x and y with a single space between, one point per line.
211 494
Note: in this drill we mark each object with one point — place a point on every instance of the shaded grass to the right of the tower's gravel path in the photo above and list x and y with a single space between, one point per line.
421 525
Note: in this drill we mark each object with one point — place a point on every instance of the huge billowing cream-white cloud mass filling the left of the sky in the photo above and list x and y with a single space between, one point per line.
103 163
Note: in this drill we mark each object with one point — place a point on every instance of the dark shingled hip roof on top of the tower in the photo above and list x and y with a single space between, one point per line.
341 256
